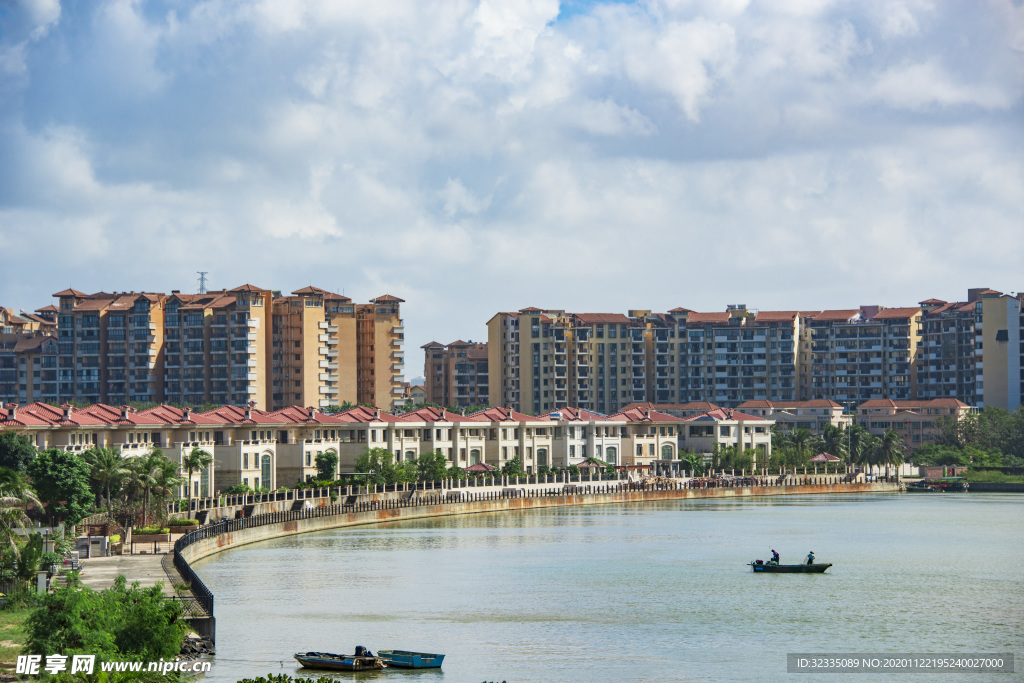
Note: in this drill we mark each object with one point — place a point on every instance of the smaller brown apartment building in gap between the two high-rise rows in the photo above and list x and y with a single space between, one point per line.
456 375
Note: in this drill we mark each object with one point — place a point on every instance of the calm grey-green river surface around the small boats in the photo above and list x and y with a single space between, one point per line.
648 592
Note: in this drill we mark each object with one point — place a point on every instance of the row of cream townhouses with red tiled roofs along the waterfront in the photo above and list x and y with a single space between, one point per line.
273 449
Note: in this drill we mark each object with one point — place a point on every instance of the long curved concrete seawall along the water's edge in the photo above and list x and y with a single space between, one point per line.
216 544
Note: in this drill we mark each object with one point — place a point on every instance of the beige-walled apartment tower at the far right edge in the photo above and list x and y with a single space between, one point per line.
1001 350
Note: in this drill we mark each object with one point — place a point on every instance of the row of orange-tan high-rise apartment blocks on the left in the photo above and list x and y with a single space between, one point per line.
225 348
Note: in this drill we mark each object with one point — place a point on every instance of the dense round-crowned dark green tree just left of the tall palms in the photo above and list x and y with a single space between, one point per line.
62 482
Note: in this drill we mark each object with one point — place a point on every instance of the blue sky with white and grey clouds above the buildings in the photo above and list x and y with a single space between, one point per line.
474 157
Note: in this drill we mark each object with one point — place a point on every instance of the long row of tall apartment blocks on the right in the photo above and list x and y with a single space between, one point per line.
971 352
